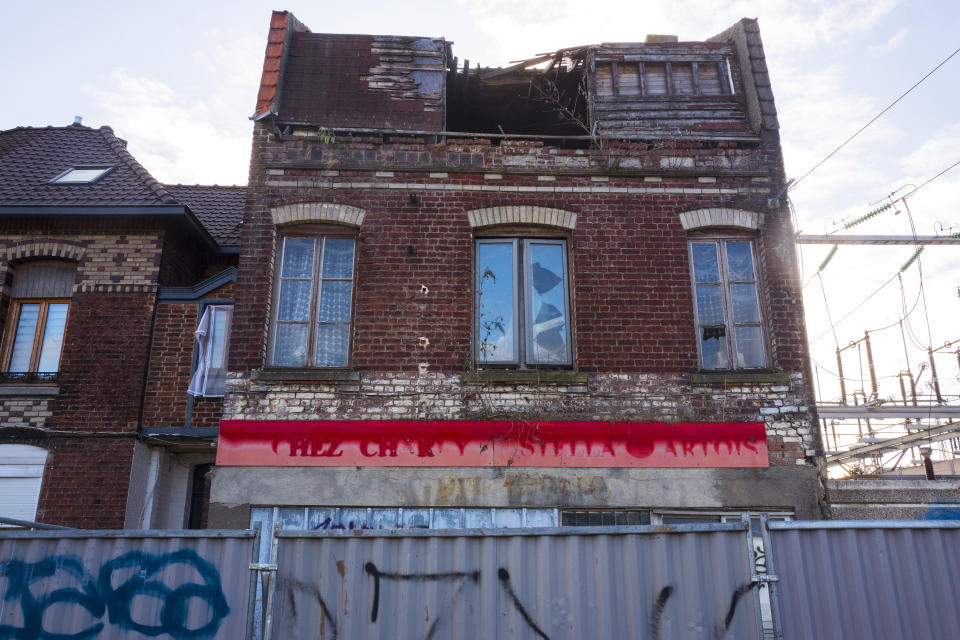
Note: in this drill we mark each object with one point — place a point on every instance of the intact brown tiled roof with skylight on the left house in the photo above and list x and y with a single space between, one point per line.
31 158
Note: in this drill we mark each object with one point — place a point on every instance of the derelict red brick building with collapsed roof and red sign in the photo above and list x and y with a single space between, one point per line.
560 292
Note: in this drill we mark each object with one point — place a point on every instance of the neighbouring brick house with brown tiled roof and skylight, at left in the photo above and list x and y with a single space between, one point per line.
105 275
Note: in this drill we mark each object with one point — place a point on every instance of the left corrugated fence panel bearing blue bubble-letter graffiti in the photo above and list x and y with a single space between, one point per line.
74 585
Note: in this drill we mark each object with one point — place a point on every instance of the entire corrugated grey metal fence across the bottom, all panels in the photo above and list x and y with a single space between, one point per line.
826 580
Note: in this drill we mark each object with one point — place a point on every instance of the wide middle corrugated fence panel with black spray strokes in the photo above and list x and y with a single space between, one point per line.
675 582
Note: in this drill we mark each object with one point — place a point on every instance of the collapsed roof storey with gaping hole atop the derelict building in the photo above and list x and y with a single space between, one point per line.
716 89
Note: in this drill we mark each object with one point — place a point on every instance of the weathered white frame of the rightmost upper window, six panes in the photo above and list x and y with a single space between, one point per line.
730 342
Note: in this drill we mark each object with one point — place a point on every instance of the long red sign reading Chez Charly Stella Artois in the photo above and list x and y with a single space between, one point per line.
485 443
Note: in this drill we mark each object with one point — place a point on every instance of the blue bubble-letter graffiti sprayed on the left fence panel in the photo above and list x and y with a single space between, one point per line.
99 596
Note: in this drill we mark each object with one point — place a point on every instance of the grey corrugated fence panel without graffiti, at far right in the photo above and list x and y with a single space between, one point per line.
866 579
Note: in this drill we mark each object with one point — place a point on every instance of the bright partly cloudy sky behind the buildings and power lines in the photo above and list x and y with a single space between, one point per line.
179 81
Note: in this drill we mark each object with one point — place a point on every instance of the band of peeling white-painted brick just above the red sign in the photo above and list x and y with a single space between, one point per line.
781 406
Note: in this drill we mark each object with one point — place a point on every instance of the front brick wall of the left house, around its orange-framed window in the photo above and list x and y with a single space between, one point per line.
103 362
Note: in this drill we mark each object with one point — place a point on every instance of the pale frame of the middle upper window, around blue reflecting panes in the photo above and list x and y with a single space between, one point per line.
522 319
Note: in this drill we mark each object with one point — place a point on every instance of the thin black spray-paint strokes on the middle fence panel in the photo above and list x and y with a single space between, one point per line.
458 580
